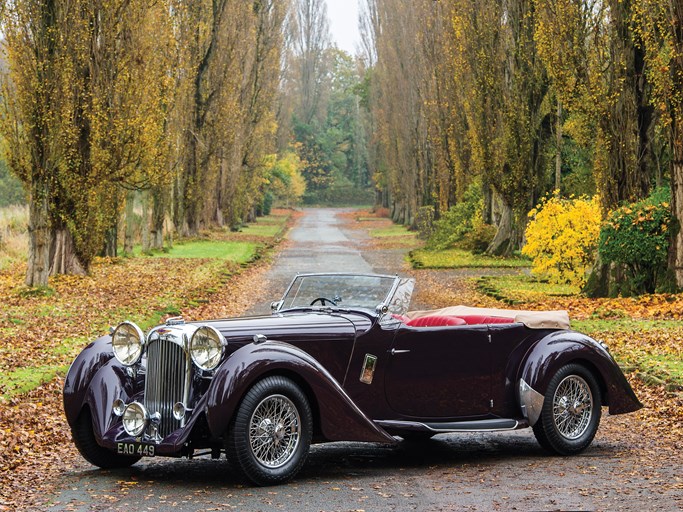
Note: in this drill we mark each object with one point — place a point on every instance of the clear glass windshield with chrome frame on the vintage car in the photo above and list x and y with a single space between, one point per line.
345 291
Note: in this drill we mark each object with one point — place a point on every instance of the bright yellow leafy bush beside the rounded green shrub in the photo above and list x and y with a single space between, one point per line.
562 238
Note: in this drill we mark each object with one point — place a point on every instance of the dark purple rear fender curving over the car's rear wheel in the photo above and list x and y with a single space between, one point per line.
559 348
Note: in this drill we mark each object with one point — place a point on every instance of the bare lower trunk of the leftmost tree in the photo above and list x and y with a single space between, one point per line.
39 234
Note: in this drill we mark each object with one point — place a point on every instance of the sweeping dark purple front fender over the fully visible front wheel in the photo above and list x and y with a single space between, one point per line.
340 418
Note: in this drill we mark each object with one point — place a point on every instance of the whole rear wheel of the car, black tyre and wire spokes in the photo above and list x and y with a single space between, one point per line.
571 411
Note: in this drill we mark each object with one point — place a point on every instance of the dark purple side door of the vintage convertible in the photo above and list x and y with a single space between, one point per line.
440 372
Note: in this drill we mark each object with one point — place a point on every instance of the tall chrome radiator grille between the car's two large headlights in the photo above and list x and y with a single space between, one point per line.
166 382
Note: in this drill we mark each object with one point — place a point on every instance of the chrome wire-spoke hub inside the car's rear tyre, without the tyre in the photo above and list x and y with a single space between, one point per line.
572 407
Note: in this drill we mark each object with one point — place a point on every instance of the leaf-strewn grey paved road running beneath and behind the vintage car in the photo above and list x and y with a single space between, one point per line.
506 471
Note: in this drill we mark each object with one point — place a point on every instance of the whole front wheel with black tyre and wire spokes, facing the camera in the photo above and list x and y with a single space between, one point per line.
270 435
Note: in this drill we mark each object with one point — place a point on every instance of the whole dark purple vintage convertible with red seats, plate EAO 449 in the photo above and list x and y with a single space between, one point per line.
339 359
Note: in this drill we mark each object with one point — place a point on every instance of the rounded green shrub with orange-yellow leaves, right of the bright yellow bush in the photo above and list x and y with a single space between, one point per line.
637 236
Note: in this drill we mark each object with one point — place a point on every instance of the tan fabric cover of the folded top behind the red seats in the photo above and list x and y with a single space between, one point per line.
533 319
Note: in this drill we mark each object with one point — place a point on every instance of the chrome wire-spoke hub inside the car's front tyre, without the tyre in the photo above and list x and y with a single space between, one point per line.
274 431
